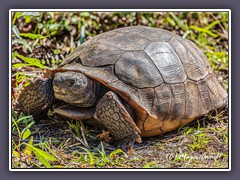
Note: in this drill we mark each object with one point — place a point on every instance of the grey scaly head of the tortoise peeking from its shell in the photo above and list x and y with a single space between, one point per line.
75 88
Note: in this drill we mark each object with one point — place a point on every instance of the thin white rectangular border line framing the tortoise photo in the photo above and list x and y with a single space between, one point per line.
123 10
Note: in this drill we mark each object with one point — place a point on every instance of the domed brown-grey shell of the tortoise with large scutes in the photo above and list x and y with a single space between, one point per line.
166 79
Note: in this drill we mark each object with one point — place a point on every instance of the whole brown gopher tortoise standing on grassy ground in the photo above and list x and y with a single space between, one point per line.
134 81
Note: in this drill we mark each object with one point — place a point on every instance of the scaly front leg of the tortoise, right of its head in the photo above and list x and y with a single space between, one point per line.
114 117
